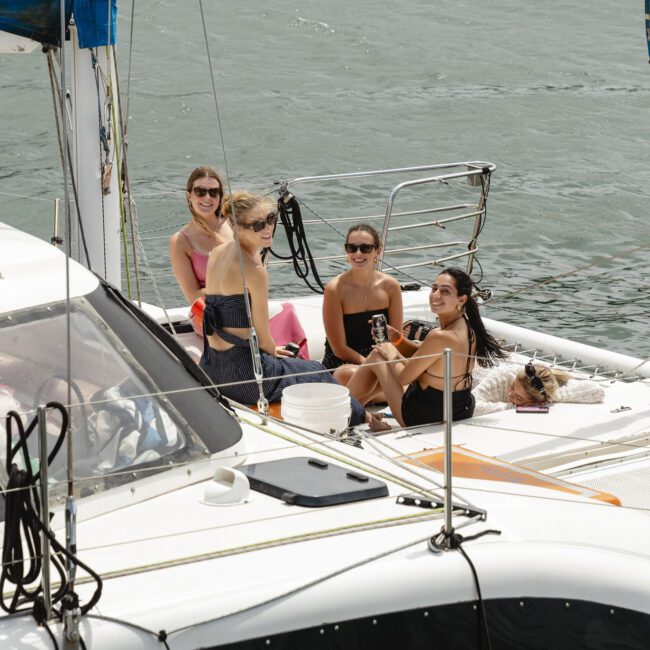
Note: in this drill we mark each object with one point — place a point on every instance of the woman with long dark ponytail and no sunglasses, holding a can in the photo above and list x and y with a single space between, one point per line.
413 380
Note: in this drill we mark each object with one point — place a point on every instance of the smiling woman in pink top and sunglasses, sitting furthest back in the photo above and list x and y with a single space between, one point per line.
190 246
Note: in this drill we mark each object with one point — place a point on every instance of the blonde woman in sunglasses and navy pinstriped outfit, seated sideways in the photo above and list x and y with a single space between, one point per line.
227 357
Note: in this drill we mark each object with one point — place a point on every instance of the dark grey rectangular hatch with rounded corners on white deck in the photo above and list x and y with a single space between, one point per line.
312 482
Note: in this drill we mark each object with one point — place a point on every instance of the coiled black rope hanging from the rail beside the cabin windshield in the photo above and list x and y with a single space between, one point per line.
23 524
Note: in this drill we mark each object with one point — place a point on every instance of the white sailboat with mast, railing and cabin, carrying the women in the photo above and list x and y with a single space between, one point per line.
143 510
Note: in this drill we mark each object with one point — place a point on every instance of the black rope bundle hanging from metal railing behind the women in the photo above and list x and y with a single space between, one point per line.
301 256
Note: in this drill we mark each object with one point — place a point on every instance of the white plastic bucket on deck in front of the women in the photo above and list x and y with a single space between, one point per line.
321 407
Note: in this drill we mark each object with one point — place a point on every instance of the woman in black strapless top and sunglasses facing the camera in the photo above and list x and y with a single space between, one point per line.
353 297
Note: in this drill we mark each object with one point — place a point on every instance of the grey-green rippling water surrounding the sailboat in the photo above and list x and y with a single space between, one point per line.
557 95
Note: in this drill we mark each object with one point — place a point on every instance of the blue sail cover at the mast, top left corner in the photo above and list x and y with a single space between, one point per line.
40 20
